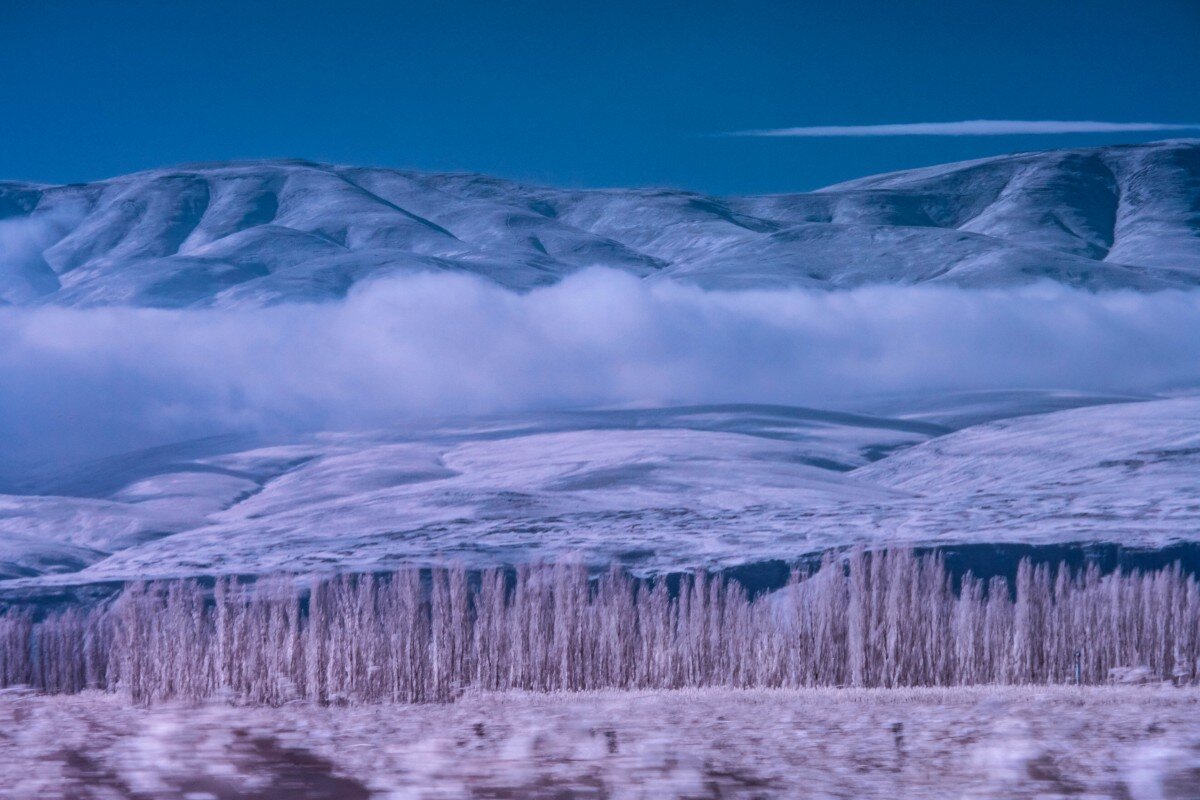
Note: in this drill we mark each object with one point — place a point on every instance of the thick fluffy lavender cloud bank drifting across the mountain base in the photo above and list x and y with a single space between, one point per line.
80 383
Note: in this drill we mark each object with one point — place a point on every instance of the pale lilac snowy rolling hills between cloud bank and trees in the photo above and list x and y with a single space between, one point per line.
657 490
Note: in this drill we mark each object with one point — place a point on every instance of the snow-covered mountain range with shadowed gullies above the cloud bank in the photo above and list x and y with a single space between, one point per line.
272 232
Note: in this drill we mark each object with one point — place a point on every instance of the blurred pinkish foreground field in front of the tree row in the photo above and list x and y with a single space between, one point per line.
1129 743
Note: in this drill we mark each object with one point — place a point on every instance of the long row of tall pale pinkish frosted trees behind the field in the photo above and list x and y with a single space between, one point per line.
862 619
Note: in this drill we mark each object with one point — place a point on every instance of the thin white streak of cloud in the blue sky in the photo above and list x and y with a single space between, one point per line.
971 128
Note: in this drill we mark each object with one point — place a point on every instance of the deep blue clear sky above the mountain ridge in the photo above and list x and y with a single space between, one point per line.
575 94
